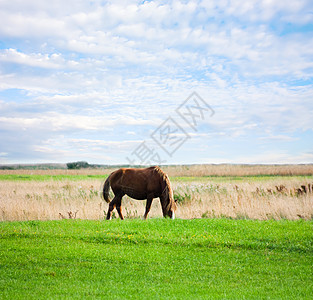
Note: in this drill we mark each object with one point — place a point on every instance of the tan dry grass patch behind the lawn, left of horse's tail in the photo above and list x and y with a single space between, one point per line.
48 200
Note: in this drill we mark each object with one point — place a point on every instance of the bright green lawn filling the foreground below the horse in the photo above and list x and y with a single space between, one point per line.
156 259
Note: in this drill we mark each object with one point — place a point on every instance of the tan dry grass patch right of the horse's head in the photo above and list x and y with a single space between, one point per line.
283 199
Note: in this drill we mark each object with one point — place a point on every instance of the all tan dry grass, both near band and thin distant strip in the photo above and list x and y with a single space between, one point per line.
271 197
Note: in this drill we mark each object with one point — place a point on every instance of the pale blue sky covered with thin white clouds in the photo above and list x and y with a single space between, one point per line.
156 82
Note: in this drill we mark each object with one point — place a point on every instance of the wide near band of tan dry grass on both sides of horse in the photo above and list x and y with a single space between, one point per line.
71 199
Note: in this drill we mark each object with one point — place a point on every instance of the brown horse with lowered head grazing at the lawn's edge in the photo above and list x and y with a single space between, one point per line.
140 184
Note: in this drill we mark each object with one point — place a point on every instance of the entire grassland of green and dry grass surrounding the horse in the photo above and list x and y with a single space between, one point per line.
239 234
